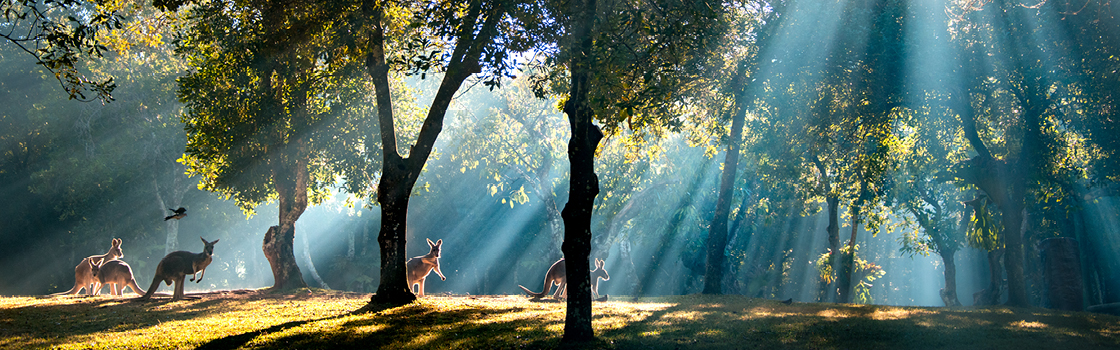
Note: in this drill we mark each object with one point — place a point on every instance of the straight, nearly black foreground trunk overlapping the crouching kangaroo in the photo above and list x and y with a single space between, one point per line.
584 186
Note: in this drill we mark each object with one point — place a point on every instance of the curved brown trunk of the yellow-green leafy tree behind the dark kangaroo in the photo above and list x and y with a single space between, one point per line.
291 178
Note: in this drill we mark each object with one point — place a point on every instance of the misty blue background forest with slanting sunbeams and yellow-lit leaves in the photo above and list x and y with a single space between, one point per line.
764 135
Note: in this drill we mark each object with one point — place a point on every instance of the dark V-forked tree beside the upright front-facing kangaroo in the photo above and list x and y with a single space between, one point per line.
474 27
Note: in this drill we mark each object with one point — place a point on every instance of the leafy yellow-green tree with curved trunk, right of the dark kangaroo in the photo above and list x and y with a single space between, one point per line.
269 106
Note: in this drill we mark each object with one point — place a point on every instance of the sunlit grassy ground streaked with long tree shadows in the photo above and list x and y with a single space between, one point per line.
329 320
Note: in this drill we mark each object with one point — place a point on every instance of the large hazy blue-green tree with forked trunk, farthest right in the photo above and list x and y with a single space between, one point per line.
1014 81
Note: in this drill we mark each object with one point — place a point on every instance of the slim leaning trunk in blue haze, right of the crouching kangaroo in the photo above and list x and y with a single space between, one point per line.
717 234
